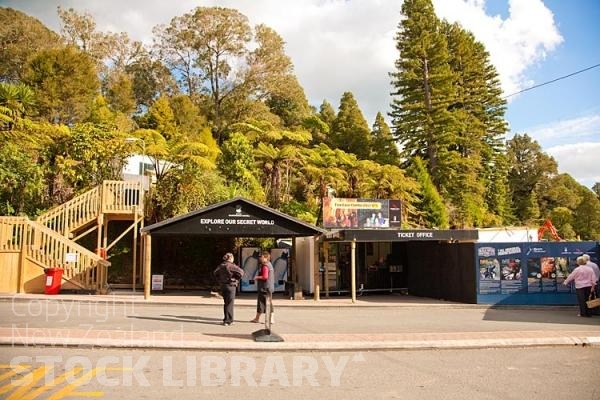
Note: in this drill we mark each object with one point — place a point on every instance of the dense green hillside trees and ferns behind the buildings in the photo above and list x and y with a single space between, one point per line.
218 98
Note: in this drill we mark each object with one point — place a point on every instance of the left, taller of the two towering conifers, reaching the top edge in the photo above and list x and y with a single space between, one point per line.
423 91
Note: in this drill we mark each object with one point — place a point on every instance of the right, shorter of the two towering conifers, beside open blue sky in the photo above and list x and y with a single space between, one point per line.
479 110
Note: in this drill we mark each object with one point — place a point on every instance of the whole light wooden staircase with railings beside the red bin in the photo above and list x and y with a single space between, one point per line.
27 246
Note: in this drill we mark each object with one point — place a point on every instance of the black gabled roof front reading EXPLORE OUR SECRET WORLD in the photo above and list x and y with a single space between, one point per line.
237 217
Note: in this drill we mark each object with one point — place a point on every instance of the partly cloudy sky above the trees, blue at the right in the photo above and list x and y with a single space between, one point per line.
348 45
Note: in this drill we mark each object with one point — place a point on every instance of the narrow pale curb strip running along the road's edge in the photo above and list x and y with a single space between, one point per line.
292 342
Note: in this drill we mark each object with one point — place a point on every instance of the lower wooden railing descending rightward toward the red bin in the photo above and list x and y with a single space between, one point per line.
48 249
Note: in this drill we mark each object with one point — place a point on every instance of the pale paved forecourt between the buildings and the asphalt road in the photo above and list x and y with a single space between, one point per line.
191 321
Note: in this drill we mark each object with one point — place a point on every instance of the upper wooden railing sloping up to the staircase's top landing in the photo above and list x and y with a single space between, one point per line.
113 197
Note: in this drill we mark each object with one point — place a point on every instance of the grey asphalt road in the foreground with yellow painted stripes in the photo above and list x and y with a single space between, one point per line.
535 373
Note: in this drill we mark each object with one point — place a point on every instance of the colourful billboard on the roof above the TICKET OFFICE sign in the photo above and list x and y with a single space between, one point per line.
361 213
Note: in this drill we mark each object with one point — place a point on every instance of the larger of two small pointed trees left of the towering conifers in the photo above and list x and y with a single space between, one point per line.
350 131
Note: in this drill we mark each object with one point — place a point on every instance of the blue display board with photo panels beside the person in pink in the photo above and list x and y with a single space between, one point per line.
528 273
